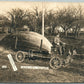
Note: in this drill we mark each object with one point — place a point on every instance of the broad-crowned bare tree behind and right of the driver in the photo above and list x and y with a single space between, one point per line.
65 18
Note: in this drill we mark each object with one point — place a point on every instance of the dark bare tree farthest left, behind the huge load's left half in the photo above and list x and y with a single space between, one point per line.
16 18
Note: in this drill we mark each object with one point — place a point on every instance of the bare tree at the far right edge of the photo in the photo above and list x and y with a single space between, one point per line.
79 20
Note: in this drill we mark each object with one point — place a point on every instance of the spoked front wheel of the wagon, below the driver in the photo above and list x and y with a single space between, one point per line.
55 63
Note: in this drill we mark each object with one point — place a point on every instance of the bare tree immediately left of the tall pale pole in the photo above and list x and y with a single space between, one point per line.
34 20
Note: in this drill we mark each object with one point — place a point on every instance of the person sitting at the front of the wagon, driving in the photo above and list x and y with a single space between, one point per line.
58 44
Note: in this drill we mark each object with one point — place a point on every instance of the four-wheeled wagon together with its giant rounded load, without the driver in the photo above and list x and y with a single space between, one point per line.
30 44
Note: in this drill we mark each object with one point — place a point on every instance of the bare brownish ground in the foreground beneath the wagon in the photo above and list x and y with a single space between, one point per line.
72 73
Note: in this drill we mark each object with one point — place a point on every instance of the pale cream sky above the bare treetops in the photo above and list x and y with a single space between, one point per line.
6 6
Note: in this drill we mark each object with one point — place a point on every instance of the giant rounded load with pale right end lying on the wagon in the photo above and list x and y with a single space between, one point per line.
29 41
